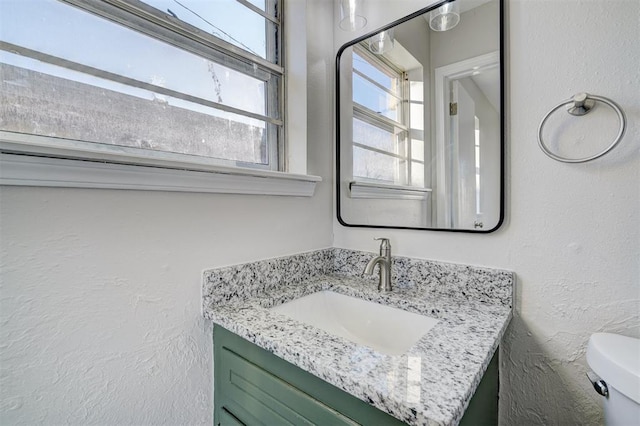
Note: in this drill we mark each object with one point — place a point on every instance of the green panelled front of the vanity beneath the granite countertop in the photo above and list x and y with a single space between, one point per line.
255 387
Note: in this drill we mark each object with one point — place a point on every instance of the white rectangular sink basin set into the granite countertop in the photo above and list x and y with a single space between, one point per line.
388 330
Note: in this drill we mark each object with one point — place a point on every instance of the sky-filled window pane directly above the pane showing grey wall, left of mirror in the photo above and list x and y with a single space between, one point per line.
110 47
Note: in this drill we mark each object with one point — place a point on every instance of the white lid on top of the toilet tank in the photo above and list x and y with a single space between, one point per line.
616 359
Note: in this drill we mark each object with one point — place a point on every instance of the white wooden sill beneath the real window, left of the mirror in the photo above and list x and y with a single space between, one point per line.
30 170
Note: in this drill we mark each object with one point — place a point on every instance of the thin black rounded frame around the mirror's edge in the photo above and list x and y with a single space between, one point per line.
502 123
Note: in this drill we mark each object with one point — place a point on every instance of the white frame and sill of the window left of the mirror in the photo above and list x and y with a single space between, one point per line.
46 153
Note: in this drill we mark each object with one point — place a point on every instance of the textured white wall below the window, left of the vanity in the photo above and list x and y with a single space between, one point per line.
100 319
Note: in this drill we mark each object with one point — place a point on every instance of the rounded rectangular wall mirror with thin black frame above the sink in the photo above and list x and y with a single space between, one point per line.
419 118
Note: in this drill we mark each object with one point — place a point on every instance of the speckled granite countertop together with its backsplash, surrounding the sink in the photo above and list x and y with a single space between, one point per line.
431 384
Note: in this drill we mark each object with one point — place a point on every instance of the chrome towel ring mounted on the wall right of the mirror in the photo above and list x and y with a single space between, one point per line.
579 105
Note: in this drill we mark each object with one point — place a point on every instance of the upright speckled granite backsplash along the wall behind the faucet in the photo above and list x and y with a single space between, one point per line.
240 282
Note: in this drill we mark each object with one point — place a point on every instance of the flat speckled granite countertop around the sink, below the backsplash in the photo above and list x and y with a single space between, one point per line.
431 384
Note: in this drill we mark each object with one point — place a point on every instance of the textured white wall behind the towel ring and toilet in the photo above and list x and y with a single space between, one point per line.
572 233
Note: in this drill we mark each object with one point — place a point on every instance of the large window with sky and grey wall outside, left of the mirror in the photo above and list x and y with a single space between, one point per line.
198 82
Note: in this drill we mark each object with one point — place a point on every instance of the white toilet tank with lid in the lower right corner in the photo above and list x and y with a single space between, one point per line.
616 360
